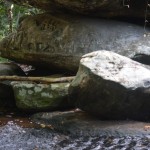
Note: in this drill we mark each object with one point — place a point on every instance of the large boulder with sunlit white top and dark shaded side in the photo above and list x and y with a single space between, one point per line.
111 86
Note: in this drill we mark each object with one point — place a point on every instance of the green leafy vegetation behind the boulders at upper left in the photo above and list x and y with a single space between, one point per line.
17 12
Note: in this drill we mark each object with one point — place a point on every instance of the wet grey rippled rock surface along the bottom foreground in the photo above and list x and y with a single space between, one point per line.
14 137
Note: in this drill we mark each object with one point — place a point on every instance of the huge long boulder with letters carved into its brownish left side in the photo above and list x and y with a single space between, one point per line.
57 41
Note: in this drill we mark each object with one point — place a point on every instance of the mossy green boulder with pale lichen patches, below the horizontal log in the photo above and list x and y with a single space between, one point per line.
36 97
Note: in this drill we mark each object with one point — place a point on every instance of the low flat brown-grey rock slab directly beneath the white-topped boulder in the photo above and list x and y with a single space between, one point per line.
79 123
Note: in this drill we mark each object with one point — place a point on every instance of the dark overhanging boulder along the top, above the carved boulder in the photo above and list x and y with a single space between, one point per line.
103 8
